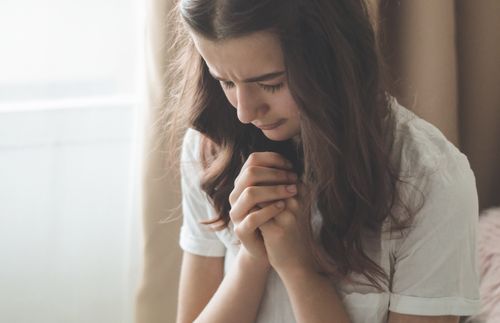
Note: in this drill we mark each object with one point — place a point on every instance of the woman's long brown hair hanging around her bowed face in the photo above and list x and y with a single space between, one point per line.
335 75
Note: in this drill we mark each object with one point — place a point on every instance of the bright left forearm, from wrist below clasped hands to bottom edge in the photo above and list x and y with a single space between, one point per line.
238 297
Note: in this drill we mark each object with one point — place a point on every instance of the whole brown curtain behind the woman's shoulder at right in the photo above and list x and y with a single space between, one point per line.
444 61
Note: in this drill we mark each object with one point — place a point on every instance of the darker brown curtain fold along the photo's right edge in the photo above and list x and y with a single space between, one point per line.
478 49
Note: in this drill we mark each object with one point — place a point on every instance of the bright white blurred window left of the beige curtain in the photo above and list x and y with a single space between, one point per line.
69 88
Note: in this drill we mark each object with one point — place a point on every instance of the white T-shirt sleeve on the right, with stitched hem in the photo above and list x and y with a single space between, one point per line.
436 263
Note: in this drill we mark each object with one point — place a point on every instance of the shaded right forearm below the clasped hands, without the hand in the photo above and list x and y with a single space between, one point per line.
313 298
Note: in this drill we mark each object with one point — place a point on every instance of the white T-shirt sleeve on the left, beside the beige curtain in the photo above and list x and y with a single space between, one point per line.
195 237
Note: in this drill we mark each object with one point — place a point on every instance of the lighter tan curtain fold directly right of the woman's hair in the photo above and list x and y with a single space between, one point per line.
421 56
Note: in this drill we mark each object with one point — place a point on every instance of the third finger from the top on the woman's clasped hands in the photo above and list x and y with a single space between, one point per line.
255 195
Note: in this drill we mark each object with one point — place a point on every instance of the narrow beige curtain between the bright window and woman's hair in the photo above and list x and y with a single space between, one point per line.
156 299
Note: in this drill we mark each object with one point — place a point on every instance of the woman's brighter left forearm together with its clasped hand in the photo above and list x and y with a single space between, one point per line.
238 296
